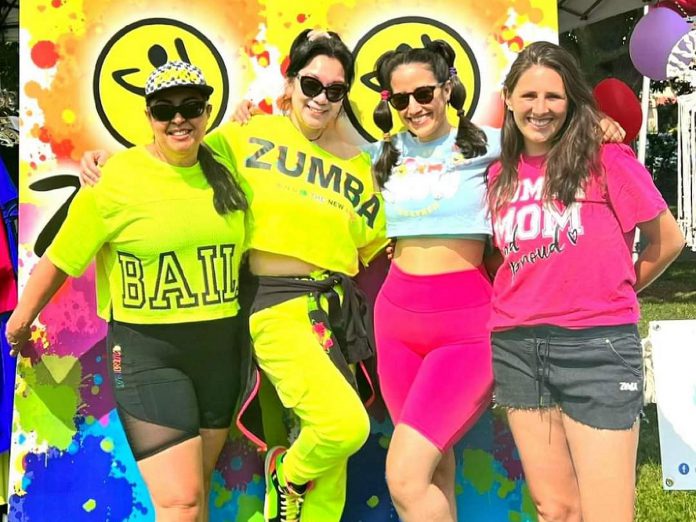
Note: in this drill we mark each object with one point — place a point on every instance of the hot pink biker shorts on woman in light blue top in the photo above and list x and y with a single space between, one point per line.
434 352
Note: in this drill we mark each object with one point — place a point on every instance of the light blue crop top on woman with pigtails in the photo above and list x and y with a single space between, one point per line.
434 190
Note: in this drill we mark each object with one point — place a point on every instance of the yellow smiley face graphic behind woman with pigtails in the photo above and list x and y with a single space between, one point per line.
405 33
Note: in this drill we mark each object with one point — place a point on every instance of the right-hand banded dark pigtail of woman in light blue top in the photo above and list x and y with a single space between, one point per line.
470 139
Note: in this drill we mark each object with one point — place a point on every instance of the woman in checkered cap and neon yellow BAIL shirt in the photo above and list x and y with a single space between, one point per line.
166 226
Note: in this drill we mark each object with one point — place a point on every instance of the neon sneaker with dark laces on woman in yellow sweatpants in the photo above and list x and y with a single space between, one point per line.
283 502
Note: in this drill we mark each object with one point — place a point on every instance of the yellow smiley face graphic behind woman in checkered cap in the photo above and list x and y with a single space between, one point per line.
132 54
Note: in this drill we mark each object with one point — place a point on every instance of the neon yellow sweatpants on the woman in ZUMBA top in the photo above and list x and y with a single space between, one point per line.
333 421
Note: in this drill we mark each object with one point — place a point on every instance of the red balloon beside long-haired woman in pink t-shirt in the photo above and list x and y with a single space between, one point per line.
618 101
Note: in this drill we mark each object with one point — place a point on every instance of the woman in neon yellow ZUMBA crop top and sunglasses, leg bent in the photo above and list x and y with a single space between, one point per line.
314 215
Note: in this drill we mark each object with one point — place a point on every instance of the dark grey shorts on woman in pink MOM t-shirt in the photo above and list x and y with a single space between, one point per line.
594 375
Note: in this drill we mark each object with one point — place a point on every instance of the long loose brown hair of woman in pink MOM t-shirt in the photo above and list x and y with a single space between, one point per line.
574 154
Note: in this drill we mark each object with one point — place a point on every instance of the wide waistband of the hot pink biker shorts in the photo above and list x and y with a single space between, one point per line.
437 292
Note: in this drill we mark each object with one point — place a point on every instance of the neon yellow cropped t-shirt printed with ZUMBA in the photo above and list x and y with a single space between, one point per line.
305 202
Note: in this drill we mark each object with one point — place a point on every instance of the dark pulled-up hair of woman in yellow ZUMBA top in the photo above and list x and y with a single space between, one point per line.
303 50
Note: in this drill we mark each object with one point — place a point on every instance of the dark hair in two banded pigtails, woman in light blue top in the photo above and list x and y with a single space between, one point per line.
439 57
